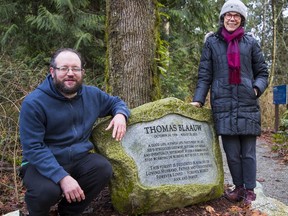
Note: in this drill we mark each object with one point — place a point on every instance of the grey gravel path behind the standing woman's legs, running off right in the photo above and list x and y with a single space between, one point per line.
271 173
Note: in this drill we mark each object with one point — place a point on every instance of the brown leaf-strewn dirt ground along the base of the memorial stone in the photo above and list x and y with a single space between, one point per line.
102 207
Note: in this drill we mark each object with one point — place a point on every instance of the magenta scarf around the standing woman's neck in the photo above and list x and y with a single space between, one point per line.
233 53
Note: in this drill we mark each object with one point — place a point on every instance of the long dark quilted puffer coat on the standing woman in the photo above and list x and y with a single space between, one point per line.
235 108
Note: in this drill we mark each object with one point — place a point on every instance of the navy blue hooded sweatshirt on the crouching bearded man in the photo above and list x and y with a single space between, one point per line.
55 130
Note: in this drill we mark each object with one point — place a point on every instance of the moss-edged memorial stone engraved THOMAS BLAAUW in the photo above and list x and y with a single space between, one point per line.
169 158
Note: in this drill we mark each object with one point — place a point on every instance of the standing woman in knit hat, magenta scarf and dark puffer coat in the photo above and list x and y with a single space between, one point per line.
232 66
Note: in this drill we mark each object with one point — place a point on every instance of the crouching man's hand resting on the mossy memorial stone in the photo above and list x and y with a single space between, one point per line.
119 123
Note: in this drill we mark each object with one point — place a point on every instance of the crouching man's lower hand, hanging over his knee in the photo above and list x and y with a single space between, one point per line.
71 189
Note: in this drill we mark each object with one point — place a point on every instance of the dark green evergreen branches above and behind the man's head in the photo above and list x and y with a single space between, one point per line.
32 30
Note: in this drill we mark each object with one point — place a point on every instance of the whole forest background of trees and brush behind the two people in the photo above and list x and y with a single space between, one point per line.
139 50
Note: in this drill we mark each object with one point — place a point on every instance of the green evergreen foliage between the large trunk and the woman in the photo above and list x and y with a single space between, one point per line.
184 25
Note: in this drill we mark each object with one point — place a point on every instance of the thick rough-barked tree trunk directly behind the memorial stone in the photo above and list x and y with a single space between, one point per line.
131 49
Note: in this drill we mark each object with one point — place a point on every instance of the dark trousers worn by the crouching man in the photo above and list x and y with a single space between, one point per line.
92 173
